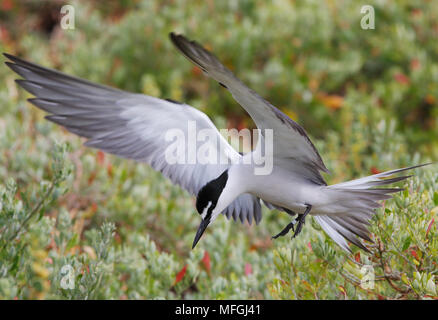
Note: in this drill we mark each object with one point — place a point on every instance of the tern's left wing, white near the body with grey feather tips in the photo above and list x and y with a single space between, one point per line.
132 126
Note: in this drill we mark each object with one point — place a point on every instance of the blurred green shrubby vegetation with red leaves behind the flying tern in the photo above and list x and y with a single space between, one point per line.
368 98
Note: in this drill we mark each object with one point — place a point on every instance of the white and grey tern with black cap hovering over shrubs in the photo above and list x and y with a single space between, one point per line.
134 126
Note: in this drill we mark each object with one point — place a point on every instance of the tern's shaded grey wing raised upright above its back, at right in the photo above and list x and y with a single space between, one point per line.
292 147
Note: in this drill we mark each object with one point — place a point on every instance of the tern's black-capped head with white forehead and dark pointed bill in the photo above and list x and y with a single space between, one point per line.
208 203
